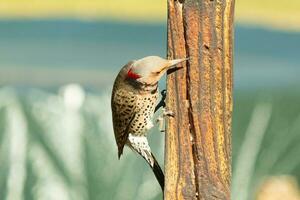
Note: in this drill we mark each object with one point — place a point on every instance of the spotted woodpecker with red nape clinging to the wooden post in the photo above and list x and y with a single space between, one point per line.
134 98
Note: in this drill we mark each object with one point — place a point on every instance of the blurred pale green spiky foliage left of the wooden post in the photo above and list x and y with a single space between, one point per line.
61 146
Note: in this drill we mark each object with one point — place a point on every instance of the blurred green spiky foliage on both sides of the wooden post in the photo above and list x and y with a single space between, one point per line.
61 147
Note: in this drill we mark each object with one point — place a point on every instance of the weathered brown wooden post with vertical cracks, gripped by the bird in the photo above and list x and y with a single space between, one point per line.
198 138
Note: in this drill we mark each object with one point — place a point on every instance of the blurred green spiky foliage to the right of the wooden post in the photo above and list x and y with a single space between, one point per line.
268 146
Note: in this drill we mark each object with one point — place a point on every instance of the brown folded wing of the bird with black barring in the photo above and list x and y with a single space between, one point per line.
124 109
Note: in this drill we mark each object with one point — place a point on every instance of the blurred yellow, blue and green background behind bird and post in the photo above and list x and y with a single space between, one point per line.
58 60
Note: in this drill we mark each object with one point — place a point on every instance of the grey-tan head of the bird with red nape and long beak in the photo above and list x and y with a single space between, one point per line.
150 69
